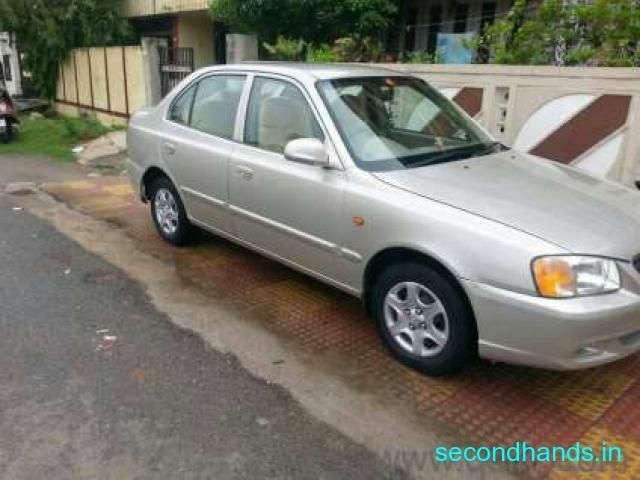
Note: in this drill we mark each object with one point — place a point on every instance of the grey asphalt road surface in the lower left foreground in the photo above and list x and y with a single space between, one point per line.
96 383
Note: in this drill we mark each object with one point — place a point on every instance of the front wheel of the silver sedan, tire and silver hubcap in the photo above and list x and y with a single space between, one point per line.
423 319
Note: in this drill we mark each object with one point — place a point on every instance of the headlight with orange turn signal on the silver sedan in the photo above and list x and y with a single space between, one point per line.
575 276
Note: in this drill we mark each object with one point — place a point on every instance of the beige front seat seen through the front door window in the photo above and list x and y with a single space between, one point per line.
281 120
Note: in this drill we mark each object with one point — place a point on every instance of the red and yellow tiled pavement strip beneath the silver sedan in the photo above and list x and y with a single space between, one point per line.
490 404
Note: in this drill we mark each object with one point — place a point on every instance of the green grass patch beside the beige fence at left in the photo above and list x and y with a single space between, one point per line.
54 136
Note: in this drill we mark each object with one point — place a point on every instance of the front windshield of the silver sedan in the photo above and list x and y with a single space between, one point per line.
391 123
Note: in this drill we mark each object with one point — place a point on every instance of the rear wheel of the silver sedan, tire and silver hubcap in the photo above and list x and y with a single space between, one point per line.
168 213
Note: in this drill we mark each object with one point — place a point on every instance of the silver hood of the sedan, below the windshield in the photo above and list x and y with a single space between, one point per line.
560 204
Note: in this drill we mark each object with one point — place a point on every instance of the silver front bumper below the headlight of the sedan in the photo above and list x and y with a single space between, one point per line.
558 334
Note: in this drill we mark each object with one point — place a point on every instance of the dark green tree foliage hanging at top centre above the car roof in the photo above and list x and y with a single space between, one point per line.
315 21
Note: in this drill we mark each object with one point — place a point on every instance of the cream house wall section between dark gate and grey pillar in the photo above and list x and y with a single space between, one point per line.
195 30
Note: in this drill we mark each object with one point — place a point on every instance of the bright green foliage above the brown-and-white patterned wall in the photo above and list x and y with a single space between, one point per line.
599 33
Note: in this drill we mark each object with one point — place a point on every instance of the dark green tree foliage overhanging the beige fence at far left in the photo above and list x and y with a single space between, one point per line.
47 30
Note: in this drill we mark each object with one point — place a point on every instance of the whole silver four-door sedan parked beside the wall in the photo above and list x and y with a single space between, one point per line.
373 182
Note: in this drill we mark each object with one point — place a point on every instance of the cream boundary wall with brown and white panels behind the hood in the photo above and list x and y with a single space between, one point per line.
585 117
